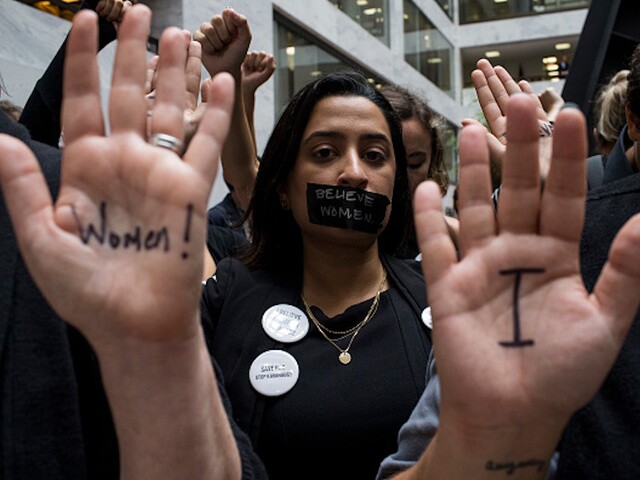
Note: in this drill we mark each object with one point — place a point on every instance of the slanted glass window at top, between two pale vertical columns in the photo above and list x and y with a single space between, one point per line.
426 49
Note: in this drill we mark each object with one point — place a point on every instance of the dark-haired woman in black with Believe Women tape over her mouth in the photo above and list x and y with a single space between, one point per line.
329 210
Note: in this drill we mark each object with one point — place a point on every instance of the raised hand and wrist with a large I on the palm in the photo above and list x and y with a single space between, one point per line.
519 343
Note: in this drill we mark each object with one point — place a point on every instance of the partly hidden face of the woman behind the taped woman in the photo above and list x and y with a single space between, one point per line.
417 142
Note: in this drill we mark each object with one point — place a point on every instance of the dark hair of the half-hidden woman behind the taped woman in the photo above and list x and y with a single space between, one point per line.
409 106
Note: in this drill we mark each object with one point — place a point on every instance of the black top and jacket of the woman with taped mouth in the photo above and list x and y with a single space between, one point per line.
338 421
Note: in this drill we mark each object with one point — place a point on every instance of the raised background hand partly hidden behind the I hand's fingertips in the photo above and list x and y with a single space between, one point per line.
494 87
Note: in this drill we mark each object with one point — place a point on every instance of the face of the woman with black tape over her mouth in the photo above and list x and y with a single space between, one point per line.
347 143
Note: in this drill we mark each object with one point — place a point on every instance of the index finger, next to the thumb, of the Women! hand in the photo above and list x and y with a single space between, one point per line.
81 106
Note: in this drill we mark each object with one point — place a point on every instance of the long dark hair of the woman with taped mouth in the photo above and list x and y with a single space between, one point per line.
276 240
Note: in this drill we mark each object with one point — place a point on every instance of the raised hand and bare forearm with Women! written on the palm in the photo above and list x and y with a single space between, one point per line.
119 255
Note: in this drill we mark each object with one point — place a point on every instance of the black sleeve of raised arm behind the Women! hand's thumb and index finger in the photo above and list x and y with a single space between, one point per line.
41 113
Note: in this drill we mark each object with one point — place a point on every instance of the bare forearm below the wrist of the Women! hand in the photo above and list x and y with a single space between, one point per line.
169 417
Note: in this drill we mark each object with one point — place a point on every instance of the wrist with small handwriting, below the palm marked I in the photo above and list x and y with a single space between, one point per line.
516 453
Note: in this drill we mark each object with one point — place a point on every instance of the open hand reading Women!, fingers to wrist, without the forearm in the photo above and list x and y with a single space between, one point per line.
119 254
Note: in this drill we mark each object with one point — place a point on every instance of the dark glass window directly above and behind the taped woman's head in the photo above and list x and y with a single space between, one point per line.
300 59
